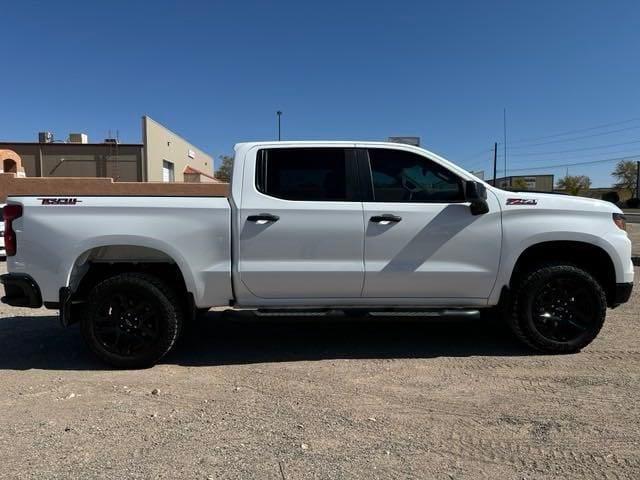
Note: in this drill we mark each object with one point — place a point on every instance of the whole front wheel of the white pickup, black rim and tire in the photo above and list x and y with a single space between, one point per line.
557 308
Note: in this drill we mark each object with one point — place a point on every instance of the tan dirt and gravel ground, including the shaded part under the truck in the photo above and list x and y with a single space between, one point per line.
327 398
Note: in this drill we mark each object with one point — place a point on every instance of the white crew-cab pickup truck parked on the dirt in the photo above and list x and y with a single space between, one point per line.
320 226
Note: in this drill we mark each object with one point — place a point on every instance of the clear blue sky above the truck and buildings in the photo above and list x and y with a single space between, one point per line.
216 72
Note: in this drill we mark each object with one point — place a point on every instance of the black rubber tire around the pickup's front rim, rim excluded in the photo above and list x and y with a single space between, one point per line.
519 309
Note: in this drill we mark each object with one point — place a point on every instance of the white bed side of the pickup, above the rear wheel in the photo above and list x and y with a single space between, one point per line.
59 236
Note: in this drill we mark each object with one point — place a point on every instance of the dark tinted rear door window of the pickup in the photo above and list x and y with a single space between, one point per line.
312 174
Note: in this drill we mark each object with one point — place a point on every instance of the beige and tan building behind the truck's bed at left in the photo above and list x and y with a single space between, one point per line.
164 156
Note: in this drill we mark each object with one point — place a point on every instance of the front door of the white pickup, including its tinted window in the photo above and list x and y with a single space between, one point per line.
422 241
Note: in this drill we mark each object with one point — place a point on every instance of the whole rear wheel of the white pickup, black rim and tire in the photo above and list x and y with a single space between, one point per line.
132 320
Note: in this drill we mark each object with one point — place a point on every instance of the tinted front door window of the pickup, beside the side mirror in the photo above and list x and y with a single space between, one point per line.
400 176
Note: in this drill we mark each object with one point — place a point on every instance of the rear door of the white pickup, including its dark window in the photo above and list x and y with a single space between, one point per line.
301 226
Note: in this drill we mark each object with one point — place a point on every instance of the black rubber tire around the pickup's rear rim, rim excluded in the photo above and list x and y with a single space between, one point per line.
168 317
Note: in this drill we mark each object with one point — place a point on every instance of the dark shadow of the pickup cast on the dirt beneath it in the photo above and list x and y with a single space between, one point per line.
242 338
